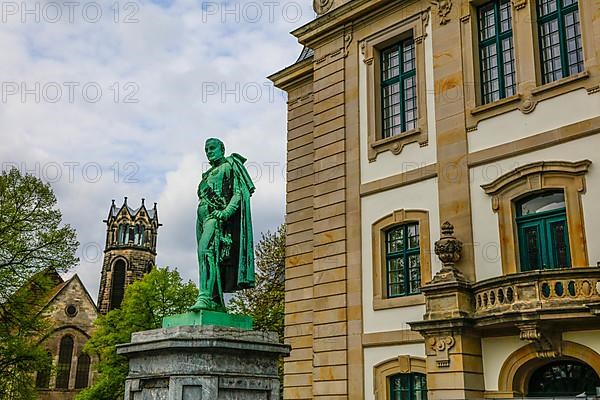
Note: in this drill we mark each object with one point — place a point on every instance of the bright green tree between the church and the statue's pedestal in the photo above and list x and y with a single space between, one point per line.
160 293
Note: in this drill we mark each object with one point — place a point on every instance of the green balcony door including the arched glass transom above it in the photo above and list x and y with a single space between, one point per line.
543 232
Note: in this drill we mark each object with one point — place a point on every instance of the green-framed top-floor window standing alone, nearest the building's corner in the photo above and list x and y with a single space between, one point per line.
399 88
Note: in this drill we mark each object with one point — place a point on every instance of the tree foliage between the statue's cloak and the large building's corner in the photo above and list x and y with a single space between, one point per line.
265 302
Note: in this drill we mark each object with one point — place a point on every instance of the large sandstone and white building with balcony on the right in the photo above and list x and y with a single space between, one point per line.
442 200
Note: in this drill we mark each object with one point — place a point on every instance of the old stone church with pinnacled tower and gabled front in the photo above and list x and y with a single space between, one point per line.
130 252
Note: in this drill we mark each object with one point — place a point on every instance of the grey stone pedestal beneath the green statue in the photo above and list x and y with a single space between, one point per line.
202 362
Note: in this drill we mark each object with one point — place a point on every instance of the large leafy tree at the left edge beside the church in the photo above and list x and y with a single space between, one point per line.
34 245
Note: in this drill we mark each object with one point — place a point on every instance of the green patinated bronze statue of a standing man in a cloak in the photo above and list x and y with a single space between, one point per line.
223 228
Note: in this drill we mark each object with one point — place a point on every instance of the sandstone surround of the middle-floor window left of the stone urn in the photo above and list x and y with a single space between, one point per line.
398 217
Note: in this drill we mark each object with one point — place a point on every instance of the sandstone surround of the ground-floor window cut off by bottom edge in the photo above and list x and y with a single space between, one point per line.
400 365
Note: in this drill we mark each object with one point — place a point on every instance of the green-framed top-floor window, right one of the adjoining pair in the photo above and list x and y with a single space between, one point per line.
561 51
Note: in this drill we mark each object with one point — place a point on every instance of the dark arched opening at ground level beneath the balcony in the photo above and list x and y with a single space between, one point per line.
563 379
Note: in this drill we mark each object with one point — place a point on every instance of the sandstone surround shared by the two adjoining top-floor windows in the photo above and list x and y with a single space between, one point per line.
530 90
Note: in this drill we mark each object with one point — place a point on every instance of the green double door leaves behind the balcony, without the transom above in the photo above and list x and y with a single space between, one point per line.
544 240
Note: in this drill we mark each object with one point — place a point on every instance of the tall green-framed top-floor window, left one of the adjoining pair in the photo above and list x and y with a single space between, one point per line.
496 51
